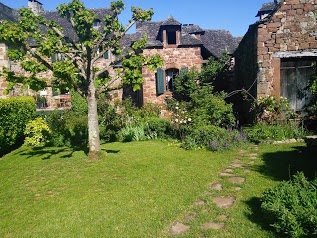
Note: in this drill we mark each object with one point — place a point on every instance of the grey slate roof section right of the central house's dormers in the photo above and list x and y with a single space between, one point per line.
218 41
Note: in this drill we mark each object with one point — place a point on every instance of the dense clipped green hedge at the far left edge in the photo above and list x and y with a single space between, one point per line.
15 113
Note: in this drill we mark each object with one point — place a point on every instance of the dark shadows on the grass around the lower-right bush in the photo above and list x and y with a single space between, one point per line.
279 166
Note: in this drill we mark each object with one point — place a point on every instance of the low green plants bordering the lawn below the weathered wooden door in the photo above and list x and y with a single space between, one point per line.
274 132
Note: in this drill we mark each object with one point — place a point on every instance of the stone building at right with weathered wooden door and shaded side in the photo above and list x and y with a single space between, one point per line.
275 56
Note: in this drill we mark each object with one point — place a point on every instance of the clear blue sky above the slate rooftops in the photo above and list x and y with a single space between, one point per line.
232 15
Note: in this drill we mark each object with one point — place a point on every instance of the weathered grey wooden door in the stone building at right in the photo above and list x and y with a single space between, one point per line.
295 75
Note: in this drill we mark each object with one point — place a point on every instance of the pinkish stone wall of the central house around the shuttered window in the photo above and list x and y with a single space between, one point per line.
173 58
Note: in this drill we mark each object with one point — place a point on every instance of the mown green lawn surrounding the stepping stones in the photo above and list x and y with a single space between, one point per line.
137 189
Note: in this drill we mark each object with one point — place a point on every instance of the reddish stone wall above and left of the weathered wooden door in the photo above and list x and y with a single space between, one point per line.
291 30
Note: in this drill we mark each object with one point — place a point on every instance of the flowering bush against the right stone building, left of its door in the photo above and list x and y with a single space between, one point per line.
270 109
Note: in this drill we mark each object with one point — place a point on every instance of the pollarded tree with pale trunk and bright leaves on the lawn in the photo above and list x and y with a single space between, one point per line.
77 70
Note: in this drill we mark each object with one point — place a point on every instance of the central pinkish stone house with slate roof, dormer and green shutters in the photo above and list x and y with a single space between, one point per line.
181 46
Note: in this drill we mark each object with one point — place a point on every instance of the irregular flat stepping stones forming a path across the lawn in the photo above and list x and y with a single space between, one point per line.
222 202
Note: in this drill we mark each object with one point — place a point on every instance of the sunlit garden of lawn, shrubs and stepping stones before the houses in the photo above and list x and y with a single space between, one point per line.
195 173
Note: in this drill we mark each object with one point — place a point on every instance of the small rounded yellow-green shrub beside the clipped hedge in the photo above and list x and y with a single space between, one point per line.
37 132
